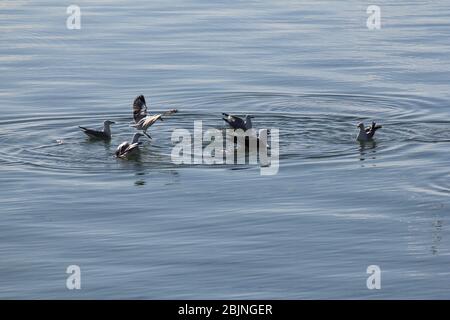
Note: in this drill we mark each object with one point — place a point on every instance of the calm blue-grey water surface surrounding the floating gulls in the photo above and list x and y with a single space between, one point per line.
148 228
